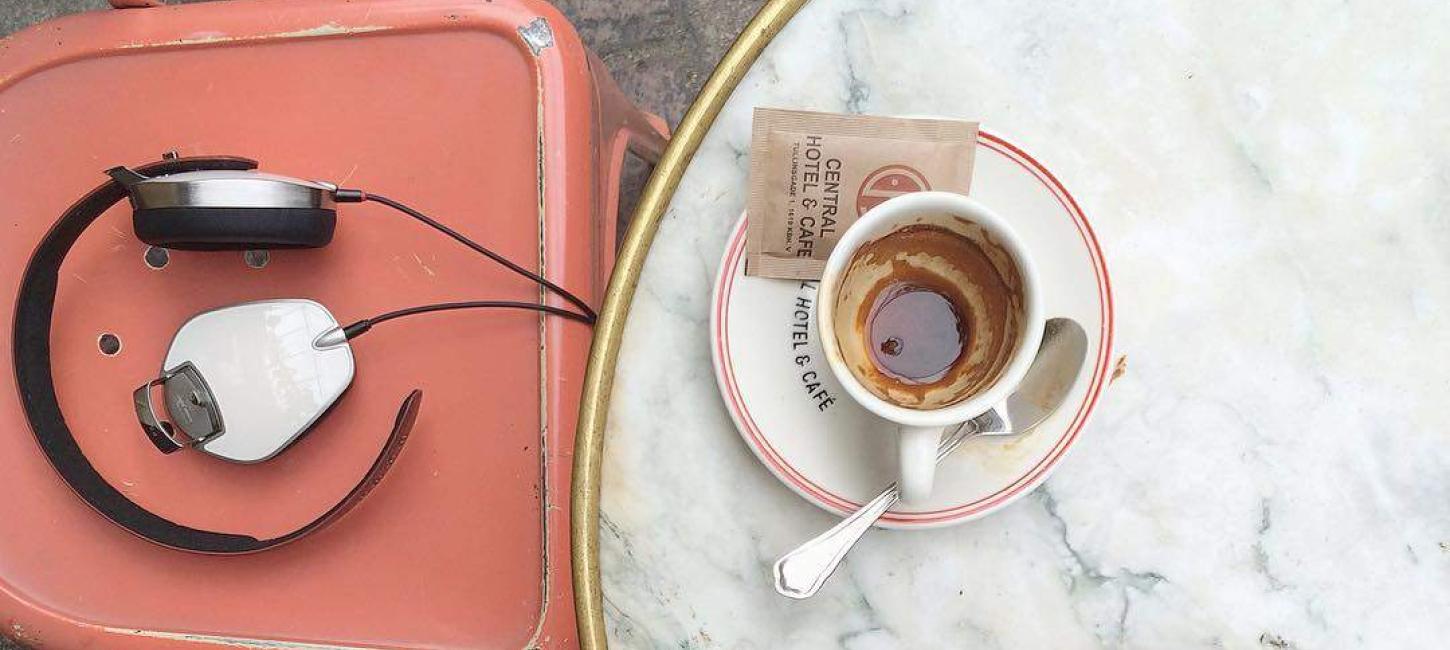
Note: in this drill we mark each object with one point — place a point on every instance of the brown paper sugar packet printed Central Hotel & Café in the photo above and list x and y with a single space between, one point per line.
813 175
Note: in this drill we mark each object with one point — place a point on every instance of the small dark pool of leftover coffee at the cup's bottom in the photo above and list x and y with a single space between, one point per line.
916 334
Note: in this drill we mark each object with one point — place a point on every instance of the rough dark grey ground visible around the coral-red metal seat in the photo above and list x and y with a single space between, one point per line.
660 52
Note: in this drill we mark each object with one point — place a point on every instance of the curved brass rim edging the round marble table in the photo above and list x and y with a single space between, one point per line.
620 295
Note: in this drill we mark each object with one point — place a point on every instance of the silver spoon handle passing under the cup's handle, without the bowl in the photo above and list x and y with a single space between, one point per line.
801 572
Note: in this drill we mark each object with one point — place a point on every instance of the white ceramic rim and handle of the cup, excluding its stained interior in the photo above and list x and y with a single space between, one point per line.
921 429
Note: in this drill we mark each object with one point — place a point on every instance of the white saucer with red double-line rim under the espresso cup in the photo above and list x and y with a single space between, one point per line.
840 456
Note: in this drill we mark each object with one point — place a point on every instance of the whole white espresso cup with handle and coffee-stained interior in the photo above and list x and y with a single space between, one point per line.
910 278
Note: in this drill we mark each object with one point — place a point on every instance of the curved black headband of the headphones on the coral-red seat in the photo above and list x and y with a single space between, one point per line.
33 371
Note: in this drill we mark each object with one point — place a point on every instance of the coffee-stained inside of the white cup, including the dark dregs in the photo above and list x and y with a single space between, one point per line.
927 316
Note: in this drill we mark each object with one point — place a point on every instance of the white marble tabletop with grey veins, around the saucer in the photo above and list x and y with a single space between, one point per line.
1272 186
